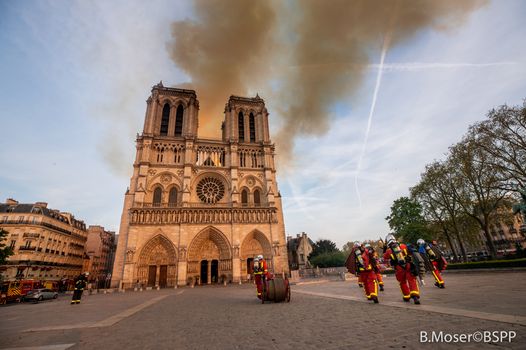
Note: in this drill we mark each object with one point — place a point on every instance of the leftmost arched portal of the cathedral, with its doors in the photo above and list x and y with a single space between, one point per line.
157 264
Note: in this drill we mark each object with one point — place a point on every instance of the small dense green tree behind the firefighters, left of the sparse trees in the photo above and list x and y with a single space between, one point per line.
407 222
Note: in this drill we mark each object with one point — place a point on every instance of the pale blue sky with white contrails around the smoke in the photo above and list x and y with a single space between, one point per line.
74 77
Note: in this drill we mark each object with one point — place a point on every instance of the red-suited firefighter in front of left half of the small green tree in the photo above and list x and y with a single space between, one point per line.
398 256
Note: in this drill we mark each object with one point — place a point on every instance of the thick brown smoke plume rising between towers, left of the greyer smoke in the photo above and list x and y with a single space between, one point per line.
224 50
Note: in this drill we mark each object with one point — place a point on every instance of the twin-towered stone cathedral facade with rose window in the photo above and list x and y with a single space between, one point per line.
199 210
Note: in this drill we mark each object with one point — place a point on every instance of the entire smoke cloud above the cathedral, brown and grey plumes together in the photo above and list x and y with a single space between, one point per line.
324 48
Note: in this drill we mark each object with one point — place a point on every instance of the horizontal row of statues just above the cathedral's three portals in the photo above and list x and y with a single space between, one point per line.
149 216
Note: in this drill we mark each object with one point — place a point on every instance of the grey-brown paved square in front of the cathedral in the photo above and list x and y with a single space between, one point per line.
329 315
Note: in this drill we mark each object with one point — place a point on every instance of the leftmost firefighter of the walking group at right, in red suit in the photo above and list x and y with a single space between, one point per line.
361 261
